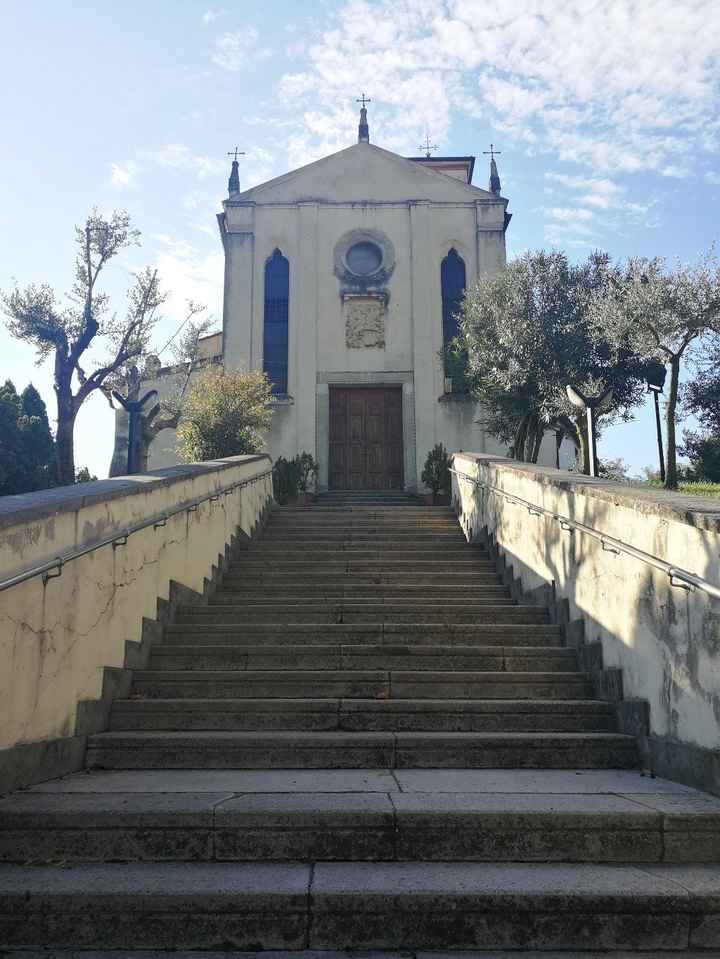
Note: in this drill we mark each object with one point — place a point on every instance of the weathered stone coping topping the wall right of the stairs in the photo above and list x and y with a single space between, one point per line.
697 511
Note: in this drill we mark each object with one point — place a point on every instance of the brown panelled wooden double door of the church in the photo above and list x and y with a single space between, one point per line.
366 442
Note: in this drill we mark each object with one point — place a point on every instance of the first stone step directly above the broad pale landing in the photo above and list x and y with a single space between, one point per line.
363 750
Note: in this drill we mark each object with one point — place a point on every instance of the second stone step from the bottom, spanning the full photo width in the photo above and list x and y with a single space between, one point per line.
383 827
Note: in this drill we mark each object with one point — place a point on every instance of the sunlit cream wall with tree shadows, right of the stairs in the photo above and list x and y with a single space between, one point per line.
664 639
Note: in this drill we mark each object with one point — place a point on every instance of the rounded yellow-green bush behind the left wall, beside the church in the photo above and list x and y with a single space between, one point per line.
226 413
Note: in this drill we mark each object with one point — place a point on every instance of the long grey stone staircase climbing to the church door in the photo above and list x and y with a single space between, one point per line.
361 742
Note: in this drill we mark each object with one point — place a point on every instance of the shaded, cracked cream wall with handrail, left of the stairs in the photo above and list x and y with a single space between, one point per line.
66 643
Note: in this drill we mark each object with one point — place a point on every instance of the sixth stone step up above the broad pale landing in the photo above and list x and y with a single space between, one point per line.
346 611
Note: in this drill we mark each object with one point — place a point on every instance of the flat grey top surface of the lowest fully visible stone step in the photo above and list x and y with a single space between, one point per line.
636 889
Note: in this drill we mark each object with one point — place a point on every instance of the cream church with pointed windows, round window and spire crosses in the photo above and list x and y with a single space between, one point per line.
342 280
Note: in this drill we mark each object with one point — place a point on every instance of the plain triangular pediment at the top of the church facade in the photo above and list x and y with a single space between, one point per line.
363 173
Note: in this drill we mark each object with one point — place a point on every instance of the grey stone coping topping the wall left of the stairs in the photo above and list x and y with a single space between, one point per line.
44 504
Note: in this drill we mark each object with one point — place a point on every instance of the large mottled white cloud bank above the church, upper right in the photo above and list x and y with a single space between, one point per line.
614 87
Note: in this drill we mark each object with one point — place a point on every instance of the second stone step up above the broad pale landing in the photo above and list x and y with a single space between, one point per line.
363 715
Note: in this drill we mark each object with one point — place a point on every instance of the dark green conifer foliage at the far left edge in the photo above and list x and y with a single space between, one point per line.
27 450
